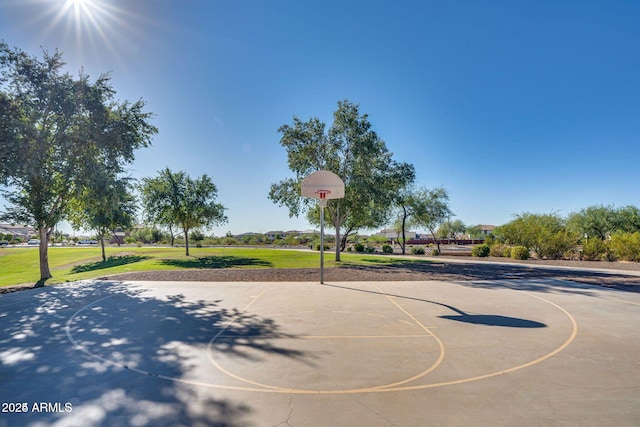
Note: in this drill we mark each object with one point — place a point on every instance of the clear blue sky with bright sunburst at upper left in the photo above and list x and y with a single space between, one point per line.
512 106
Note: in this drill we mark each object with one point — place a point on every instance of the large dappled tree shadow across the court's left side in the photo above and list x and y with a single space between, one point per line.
121 356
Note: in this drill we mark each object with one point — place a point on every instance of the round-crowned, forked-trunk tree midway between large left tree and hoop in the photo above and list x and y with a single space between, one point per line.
173 198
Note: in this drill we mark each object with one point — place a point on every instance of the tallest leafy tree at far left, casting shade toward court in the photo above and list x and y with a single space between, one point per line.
56 131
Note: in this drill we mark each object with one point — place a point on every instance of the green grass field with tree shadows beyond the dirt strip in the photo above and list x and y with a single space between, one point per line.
21 265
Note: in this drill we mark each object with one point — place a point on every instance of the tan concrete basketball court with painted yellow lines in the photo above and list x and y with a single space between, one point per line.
487 353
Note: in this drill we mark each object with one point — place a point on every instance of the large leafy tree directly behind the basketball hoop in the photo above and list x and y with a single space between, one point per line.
354 152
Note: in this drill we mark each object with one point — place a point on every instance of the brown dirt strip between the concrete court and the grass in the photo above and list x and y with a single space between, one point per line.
443 269
